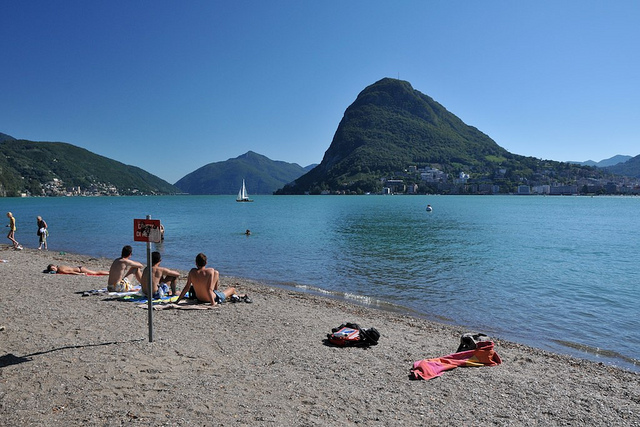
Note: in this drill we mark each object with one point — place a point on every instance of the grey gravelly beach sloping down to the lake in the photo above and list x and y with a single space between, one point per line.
68 359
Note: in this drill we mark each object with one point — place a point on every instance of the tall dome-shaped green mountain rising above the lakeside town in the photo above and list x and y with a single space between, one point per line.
391 127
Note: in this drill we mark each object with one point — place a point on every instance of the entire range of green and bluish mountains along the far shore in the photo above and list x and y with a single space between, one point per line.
390 132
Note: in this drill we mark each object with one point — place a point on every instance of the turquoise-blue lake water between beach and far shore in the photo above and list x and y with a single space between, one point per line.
559 273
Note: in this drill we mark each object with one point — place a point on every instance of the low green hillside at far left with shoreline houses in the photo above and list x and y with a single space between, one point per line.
55 168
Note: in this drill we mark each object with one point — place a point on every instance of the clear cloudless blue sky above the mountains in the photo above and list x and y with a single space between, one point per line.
171 86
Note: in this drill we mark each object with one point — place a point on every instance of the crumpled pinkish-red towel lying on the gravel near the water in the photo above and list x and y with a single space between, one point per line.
482 355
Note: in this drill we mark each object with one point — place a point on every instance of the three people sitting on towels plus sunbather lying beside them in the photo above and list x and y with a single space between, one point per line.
202 281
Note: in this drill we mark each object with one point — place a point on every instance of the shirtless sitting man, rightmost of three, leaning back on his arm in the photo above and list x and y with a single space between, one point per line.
205 284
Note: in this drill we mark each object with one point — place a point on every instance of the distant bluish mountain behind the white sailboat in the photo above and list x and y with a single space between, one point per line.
261 174
